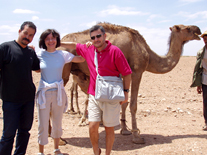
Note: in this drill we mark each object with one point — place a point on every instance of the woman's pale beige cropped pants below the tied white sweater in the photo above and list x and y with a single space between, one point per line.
53 112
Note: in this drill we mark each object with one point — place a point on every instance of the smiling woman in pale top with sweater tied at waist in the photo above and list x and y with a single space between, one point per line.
51 97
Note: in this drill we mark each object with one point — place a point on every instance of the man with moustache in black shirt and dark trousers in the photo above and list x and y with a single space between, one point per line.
17 89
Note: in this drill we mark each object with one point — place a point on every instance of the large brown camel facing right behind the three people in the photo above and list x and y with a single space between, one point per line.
140 58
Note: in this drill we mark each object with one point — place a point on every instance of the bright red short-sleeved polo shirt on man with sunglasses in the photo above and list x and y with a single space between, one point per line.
111 62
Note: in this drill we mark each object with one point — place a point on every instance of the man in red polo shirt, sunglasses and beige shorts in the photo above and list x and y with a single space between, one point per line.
111 62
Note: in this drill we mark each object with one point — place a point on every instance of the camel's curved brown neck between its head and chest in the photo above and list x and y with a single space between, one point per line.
163 64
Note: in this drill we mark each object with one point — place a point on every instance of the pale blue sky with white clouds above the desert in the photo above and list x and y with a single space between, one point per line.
152 18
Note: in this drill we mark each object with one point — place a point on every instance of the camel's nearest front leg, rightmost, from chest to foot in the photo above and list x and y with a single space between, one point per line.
133 107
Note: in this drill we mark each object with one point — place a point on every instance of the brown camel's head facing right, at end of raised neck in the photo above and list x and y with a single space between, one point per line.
186 33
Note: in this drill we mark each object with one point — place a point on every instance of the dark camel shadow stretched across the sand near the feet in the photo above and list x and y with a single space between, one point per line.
124 143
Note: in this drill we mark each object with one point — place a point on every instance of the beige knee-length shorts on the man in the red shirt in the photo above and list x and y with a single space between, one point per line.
109 113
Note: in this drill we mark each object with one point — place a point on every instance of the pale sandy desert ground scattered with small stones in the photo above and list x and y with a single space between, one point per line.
169 117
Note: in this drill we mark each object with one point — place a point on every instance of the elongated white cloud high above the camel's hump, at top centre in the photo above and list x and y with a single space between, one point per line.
115 10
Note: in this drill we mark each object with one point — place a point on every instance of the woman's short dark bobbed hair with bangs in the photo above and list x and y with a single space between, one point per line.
45 34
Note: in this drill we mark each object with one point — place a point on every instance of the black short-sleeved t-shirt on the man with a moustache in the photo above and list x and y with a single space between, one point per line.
16 64
